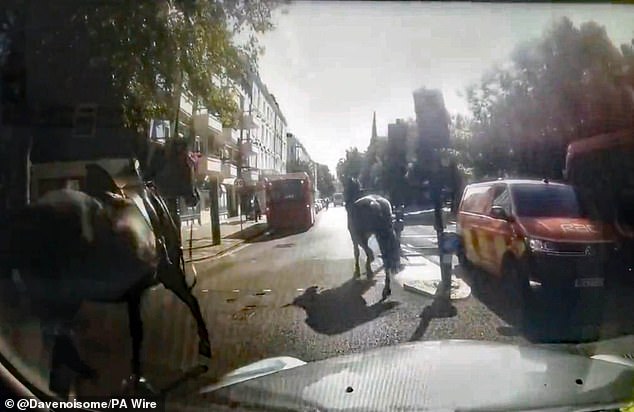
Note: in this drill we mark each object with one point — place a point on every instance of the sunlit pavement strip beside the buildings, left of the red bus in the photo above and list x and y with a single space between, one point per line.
234 231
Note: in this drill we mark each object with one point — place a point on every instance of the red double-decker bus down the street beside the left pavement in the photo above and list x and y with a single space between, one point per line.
290 203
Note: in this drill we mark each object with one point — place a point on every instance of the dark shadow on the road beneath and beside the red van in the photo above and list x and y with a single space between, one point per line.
573 316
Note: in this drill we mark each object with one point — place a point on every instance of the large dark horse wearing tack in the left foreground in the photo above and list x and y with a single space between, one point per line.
107 243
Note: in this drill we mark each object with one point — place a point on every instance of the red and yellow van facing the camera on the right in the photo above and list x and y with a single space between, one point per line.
522 230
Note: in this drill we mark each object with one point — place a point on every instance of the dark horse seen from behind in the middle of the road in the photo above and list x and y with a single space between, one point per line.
371 215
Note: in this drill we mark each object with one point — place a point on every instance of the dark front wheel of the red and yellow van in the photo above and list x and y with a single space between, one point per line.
518 291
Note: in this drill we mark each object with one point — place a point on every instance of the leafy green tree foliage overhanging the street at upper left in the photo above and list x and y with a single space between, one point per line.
152 51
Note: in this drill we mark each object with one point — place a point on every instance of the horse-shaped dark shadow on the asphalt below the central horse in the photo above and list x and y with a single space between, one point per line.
338 310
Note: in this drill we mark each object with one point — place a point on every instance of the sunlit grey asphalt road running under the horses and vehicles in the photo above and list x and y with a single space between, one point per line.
294 296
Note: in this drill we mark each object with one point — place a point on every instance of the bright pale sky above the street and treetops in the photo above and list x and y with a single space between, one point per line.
331 64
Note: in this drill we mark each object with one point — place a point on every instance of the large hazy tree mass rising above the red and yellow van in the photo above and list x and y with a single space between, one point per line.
569 84
